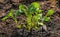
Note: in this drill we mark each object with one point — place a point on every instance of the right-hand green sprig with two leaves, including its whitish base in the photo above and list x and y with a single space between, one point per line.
46 18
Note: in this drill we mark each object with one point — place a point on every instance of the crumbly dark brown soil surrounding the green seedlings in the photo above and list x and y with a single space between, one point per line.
7 28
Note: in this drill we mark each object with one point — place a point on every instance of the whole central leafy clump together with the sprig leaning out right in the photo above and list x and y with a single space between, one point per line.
34 15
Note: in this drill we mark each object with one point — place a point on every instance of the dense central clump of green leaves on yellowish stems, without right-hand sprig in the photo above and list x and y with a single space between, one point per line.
32 13
